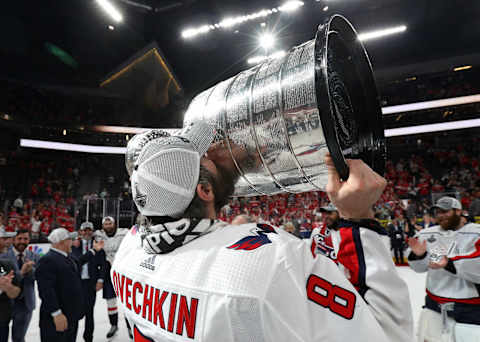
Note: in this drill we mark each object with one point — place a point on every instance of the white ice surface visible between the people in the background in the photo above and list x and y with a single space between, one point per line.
415 281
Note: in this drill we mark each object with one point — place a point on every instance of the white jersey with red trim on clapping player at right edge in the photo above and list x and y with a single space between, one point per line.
459 281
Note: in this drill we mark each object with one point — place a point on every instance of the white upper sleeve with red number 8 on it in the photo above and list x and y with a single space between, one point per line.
309 299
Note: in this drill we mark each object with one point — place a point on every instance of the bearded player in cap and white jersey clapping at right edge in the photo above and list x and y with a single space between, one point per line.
450 253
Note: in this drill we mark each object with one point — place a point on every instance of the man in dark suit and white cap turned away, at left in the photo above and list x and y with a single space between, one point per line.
60 288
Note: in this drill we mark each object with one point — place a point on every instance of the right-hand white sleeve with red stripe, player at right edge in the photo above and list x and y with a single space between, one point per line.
467 264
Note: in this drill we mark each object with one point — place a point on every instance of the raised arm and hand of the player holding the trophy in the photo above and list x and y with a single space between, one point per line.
360 249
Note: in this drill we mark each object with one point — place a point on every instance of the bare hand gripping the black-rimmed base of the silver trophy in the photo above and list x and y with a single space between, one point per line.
354 197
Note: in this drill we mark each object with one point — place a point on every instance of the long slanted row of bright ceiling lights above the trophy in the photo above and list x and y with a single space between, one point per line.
289 6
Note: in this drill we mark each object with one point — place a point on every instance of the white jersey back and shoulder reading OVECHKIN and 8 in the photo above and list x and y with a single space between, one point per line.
240 283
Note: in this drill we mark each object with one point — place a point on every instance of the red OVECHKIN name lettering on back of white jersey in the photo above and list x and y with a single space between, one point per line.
171 311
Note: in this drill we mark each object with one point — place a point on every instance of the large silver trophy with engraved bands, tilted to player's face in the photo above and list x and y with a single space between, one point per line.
285 114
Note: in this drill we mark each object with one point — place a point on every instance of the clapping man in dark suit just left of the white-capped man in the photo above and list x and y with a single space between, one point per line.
25 260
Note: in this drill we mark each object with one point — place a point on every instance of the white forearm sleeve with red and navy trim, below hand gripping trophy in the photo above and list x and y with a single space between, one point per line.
364 255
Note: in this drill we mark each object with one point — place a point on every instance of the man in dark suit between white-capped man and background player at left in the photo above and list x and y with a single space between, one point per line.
92 275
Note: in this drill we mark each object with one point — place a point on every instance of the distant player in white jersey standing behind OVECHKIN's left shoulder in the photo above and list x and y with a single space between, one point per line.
113 237
